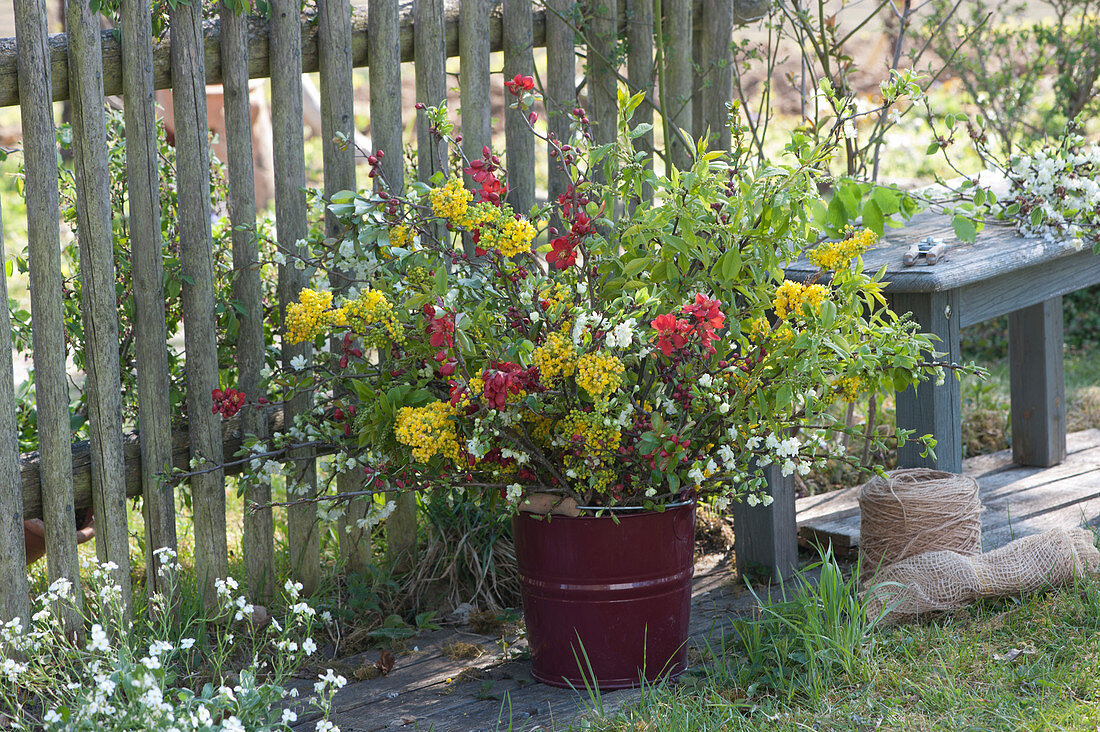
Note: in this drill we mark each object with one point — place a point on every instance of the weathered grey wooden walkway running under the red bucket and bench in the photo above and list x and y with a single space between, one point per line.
430 691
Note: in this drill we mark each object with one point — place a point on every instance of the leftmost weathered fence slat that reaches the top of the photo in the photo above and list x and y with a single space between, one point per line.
51 386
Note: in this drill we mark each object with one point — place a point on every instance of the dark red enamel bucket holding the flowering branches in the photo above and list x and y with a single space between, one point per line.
620 591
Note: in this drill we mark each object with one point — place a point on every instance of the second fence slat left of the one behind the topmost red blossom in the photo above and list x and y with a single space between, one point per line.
430 48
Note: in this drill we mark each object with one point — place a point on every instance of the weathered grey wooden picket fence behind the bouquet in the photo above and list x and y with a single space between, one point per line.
89 64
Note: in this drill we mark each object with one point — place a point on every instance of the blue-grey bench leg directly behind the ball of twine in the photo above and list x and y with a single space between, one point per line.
932 409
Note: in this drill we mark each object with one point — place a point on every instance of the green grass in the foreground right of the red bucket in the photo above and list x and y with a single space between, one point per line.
1025 663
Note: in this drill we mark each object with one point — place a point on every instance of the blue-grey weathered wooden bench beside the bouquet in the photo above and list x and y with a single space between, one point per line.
1002 274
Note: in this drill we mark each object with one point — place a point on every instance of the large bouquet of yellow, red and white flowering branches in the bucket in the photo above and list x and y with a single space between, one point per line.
632 344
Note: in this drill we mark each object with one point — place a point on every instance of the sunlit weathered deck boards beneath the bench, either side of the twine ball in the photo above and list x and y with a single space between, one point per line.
1018 500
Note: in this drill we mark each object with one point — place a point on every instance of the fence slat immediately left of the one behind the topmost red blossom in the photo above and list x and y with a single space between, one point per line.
475 79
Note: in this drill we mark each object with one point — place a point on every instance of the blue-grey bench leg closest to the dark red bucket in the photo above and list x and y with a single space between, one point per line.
766 538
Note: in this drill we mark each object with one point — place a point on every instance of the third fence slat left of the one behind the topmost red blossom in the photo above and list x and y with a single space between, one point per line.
386 77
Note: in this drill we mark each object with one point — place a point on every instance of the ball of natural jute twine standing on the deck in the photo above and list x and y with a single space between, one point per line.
918 510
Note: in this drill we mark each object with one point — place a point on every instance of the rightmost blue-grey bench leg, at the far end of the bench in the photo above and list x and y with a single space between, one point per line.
1039 385
